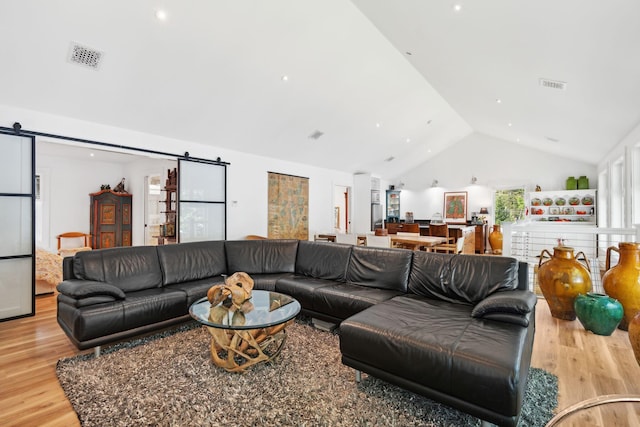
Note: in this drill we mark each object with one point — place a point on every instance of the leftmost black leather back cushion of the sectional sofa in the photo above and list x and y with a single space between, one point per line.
129 268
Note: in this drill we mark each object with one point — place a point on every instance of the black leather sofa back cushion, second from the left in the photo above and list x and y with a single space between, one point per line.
192 261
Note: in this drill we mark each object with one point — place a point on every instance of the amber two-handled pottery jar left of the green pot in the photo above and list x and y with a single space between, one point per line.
562 278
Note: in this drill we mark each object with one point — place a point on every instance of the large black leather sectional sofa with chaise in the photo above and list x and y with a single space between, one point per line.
456 328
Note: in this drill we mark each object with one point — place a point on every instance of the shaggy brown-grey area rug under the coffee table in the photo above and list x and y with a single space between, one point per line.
168 379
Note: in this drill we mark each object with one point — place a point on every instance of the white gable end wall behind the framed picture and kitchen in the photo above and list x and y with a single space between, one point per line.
496 163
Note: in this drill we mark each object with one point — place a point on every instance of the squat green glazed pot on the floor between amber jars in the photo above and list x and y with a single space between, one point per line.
598 313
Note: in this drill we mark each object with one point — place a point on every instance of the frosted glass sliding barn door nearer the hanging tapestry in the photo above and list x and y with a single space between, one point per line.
202 201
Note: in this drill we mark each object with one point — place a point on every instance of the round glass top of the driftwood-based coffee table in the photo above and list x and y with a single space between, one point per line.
262 310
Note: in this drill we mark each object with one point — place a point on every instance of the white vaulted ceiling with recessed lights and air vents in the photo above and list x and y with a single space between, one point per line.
358 86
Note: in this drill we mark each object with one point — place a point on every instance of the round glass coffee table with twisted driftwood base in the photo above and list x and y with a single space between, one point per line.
254 333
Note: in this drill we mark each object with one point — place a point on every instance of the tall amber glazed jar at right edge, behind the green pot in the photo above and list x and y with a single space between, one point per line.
622 281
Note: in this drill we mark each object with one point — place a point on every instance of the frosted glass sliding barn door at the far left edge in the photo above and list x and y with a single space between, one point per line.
17 257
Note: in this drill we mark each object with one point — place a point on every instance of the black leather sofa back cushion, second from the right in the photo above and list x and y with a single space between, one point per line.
380 268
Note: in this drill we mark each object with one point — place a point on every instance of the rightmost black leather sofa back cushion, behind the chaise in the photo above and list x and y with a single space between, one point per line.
466 279
